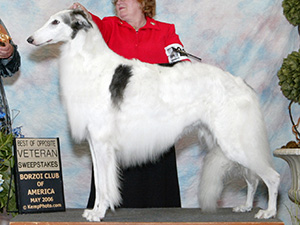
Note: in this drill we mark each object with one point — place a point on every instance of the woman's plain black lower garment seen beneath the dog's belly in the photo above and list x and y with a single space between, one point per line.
150 185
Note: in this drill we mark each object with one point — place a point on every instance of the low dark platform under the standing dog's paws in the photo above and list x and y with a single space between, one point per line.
165 216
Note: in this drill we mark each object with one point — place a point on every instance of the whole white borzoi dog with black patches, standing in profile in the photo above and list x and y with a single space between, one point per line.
132 112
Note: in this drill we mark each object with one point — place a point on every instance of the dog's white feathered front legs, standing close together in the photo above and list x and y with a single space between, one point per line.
106 180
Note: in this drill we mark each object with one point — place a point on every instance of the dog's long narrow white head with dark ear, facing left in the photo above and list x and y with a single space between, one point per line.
63 26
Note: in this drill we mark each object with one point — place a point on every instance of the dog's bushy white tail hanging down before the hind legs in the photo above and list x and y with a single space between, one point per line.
211 183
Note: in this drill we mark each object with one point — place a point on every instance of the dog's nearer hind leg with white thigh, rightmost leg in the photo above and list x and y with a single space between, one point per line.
243 139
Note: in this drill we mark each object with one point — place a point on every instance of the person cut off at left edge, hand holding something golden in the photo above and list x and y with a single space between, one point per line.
9 64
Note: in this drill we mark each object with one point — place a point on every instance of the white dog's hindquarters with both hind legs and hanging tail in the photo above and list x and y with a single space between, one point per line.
239 145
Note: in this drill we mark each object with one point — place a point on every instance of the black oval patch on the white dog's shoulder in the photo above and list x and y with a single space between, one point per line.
119 82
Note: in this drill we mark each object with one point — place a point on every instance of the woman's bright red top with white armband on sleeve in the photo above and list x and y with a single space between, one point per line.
151 43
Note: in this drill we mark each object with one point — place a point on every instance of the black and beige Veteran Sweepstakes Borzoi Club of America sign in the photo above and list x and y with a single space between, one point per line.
39 184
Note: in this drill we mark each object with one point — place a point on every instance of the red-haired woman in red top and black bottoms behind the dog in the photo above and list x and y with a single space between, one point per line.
133 33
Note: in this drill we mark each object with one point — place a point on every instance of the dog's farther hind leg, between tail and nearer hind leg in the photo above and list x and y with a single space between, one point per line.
252 182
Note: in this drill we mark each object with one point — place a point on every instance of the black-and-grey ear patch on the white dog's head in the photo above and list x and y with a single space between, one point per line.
78 22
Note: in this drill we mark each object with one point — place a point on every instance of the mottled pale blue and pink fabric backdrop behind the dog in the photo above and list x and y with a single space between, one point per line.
247 38
